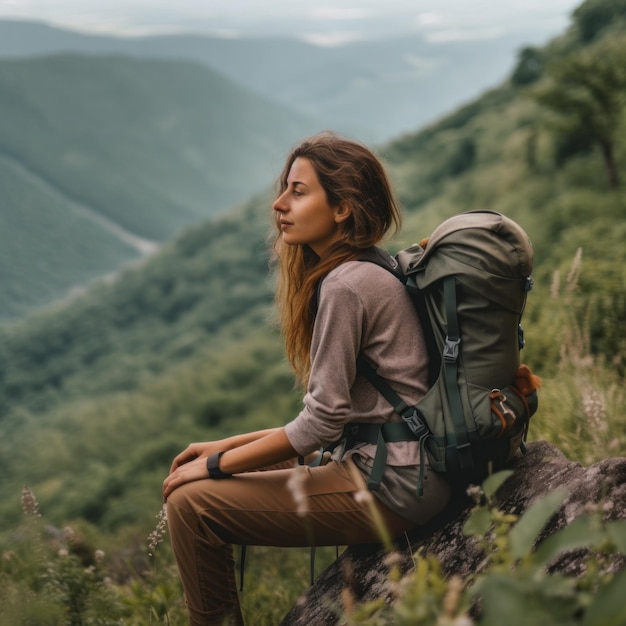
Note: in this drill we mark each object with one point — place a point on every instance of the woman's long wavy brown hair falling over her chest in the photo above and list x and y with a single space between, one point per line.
349 173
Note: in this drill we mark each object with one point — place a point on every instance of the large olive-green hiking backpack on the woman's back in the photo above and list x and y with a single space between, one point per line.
469 283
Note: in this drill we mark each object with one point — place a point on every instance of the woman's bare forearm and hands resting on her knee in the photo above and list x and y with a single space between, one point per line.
255 450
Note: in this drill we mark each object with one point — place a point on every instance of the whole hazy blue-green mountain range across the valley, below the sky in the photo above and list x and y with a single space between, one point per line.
111 145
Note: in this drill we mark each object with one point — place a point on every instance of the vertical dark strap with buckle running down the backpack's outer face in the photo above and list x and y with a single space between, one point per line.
458 437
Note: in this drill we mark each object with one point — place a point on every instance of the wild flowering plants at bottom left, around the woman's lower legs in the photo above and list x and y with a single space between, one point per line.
58 577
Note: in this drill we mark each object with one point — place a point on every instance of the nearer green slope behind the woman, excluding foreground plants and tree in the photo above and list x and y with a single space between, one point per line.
97 395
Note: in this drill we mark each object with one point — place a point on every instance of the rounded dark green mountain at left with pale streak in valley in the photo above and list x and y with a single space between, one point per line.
101 157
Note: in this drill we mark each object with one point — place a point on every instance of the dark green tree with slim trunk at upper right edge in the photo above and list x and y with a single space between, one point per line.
587 92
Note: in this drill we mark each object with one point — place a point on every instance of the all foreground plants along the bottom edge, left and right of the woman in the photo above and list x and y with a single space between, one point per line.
54 579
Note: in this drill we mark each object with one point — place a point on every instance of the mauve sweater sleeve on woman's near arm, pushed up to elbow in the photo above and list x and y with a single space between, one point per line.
337 338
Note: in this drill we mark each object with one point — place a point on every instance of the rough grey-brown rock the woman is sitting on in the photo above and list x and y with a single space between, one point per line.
543 469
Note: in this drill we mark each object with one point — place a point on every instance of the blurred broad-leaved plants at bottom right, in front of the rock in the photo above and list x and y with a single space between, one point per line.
515 586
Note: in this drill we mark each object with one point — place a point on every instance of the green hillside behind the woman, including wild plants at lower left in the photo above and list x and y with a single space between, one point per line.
99 392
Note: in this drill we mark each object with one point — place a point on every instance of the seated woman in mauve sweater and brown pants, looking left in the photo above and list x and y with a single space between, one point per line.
334 205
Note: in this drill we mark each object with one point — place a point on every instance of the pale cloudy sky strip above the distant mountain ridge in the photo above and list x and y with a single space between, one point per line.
318 21
